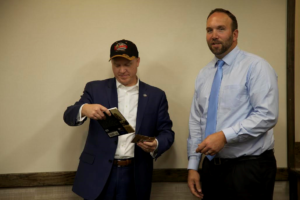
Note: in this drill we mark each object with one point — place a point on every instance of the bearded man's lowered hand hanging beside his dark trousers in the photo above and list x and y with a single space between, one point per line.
194 183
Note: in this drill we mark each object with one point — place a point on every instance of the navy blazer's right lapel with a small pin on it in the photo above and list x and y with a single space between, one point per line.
142 104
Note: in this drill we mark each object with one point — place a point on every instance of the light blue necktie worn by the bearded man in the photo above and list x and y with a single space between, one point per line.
211 122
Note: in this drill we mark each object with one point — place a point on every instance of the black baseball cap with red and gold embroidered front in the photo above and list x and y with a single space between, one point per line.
124 48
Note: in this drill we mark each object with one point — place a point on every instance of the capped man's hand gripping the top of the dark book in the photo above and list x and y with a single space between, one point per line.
94 111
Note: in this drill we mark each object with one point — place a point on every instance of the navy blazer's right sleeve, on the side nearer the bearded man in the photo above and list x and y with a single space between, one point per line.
165 135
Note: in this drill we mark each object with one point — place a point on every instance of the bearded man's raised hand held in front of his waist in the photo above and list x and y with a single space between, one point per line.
212 144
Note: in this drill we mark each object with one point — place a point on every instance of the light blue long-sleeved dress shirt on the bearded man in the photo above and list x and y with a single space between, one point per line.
247 109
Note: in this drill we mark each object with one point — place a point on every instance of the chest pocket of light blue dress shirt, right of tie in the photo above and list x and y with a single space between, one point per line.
233 96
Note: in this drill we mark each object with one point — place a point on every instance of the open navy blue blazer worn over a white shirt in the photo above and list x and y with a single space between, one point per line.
97 157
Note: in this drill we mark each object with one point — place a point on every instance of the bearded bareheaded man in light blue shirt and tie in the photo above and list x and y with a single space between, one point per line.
239 161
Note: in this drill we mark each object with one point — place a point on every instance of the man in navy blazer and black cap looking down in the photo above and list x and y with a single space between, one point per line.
113 167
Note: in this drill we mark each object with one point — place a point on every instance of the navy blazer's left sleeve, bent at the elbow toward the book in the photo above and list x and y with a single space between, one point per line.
71 113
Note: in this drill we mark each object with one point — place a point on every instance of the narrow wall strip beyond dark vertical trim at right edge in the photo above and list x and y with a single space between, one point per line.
297 71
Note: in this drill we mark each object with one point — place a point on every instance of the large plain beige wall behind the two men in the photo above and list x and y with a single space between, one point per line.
50 49
